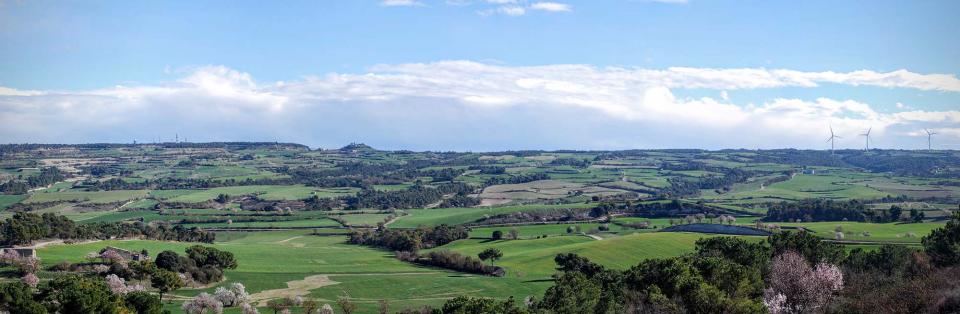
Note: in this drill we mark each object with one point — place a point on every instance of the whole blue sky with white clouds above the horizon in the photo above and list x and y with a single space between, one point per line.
482 75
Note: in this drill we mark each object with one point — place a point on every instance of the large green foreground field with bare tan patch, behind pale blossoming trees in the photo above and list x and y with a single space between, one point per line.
267 260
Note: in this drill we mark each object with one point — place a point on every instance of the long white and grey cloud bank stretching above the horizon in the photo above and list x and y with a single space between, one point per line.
467 105
